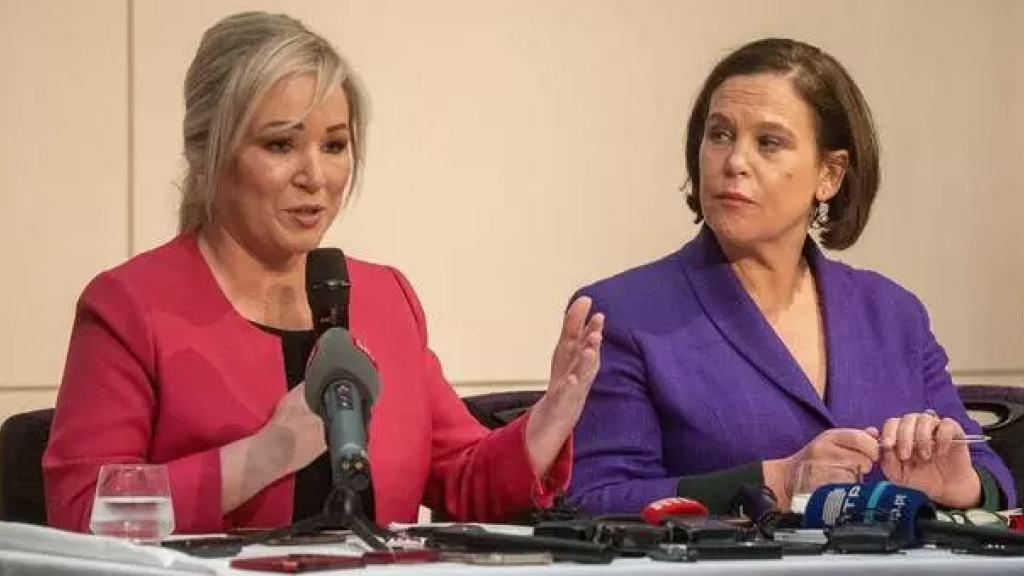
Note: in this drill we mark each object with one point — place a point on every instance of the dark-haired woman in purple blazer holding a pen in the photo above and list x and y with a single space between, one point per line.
748 351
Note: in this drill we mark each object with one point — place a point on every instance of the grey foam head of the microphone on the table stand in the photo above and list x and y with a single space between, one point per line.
338 359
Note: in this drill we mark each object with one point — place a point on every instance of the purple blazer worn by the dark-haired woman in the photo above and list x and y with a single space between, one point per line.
694 380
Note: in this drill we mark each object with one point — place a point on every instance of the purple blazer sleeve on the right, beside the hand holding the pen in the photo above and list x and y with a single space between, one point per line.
943 397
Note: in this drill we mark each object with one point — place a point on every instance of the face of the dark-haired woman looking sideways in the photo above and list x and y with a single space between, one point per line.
760 167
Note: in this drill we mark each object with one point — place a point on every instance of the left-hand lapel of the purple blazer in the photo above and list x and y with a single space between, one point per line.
733 311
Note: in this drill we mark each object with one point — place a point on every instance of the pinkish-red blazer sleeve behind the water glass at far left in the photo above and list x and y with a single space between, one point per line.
106 412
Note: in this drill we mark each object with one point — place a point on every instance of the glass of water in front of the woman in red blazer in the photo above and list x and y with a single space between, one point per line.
134 502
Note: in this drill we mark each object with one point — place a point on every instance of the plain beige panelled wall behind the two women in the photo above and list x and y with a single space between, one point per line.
518 151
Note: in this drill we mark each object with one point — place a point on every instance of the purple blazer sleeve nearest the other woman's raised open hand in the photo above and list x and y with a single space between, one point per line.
619 465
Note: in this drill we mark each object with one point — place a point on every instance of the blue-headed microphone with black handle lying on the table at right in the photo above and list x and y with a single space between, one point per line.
910 513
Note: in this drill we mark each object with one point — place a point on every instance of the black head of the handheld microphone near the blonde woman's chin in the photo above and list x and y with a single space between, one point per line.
327 289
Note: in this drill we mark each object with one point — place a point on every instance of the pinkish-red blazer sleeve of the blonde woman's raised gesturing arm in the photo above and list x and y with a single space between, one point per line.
479 475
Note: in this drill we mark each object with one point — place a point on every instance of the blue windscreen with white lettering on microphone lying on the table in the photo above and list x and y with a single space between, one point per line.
877 503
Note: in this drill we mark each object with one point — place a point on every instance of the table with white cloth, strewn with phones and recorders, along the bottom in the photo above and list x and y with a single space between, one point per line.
30 551
